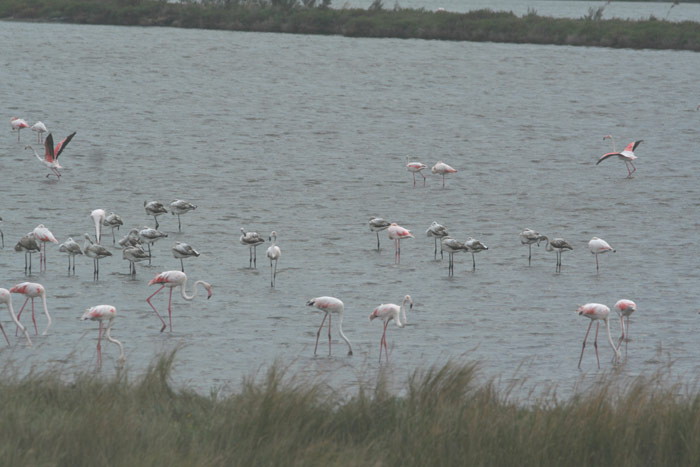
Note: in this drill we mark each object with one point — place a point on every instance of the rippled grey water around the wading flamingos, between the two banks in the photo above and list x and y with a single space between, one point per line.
307 136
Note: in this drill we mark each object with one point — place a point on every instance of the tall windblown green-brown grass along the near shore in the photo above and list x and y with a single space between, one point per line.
445 418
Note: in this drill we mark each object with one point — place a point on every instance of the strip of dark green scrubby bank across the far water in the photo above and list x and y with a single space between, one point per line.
292 16
